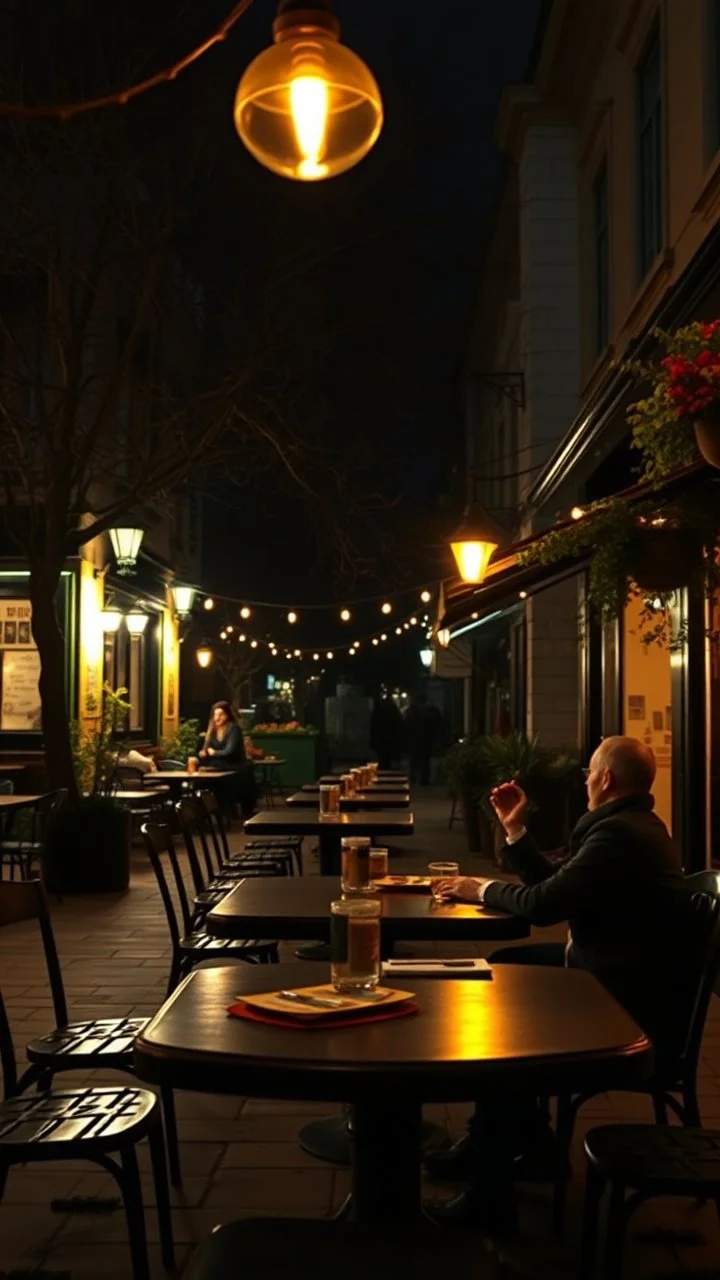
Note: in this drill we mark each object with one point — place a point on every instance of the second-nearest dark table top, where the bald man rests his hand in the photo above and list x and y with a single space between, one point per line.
299 908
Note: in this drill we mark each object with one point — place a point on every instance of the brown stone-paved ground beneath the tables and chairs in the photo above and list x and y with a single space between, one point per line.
241 1155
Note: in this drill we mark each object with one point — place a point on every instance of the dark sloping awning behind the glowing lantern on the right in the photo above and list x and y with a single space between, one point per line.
508 580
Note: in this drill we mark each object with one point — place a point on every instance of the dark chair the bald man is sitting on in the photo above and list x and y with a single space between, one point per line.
680 1075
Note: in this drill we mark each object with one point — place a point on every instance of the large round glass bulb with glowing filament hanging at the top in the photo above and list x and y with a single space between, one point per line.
308 108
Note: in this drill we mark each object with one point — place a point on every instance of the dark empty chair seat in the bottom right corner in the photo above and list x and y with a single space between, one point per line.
657 1156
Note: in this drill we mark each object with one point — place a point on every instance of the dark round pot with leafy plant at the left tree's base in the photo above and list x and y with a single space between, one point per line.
89 842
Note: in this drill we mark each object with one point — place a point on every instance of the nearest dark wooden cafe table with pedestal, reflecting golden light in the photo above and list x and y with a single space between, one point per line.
534 1028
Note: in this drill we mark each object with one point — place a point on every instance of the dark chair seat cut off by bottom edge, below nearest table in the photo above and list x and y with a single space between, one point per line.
274 1249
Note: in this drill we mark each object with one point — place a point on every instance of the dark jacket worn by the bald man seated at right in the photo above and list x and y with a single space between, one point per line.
623 894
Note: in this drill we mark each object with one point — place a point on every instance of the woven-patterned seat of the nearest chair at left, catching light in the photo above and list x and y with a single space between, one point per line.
38 1126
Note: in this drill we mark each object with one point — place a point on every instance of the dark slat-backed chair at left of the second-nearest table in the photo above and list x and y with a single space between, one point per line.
192 945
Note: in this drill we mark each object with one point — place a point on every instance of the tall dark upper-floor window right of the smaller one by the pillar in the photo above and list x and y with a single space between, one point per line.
649 115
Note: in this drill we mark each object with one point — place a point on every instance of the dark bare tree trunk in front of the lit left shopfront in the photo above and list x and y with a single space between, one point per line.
44 582
